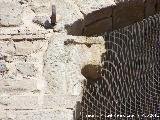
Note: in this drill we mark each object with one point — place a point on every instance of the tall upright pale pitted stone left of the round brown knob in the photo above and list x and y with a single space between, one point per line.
57 63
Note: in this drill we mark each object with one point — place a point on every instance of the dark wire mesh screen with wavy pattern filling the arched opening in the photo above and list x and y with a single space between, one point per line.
129 87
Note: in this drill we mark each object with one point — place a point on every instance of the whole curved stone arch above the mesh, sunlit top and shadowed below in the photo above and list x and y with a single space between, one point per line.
96 17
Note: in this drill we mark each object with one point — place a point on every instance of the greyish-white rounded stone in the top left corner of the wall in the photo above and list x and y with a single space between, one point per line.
10 14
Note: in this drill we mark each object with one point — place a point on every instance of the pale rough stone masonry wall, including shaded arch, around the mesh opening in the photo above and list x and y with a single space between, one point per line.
42 67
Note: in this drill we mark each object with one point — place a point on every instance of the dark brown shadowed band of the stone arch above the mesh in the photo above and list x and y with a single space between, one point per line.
124 13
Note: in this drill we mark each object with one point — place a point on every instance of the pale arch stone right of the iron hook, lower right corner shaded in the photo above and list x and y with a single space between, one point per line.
69 19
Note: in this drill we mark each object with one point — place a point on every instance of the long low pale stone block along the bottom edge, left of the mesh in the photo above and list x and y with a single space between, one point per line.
59 114
